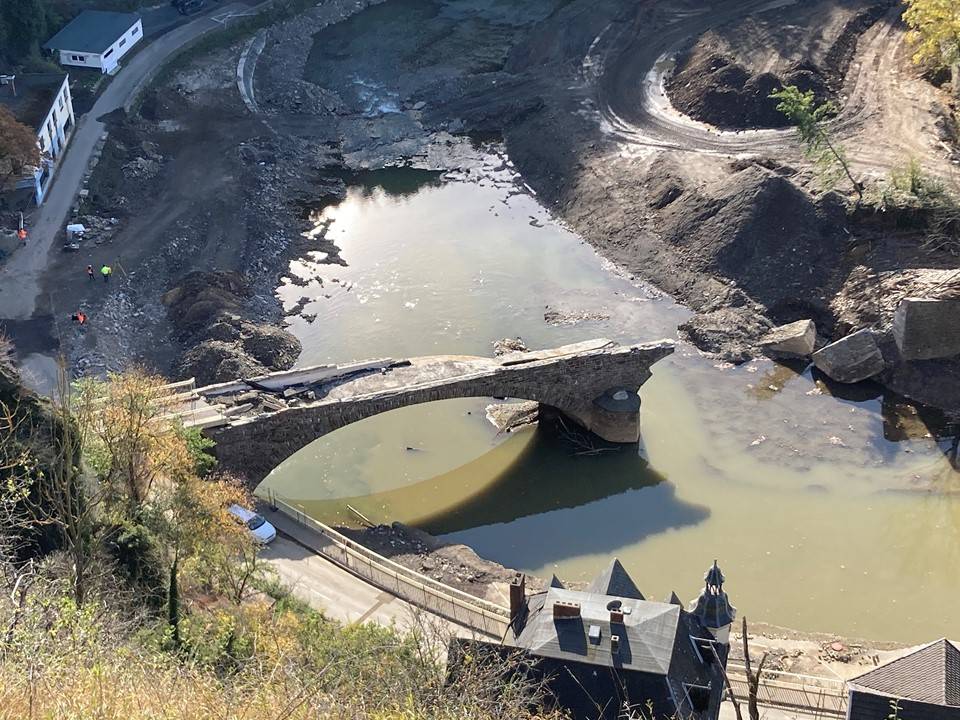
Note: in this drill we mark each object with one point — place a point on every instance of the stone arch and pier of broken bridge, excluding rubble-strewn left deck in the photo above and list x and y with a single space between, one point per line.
598 390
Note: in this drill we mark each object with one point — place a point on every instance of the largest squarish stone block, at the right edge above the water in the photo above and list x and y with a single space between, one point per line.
927 328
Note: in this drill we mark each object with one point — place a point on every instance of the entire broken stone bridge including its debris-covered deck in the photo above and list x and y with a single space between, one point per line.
260 422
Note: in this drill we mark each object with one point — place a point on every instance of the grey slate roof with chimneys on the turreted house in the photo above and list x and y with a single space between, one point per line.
647 635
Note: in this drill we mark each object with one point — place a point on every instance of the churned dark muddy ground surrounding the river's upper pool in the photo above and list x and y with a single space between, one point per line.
197 181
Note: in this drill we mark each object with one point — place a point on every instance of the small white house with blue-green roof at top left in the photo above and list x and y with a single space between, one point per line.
97 39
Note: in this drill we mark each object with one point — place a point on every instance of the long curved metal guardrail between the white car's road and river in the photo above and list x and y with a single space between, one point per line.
417 589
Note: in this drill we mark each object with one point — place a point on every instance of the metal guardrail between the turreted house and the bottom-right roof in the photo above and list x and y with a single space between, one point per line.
803 694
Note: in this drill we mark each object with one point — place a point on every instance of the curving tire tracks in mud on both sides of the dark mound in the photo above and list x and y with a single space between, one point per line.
880 118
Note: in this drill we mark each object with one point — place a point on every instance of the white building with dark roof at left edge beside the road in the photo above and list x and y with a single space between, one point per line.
42 102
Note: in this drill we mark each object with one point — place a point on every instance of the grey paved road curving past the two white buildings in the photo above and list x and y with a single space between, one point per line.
20 278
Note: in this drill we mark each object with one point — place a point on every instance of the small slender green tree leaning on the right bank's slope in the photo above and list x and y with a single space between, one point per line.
809 119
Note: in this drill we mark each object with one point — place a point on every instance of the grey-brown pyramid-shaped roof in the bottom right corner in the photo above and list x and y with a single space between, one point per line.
930 674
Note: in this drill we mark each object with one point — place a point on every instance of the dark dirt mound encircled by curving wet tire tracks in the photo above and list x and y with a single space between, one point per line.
724 80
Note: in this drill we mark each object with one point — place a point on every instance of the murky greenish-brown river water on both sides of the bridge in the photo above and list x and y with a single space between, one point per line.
830 508
